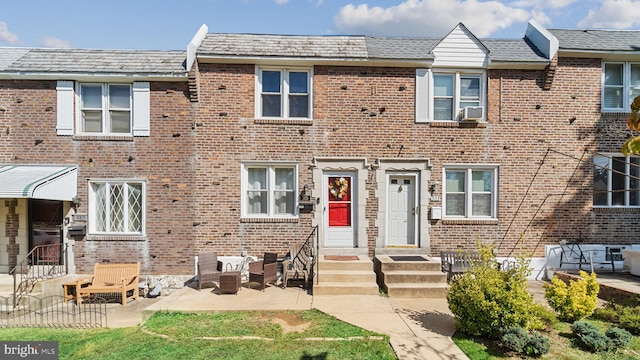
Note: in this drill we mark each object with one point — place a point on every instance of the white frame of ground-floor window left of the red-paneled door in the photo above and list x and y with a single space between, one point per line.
270 190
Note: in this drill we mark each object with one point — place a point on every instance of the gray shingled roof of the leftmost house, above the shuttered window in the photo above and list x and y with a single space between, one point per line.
92 61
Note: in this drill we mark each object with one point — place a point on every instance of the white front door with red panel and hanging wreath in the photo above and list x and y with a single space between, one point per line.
339 217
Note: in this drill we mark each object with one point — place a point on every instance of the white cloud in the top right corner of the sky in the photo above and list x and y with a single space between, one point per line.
613 14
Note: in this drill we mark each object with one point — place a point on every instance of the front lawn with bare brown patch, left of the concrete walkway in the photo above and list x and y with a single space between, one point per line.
171 335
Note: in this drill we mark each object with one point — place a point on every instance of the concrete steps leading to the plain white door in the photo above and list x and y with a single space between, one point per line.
410 278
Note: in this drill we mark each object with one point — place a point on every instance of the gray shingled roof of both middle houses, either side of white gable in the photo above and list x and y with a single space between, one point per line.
351 47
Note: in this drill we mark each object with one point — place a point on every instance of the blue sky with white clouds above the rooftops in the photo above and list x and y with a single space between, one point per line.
170 24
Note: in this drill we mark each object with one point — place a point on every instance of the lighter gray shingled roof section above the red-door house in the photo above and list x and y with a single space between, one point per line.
283 46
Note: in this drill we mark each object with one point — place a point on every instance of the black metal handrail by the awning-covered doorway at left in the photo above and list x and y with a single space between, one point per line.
42 262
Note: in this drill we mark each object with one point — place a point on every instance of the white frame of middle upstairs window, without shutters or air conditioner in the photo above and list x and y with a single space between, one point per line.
284 91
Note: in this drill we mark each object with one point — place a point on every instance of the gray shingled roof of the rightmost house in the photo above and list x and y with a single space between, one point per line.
598 40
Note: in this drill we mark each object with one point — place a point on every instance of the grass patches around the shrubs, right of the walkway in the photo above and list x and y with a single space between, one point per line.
564 346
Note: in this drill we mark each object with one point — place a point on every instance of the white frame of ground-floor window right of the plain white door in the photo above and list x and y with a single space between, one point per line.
468 199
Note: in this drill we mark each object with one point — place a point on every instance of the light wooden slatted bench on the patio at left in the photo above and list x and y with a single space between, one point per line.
110 278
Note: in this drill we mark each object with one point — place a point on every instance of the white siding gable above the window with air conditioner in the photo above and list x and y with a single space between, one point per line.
460 49
